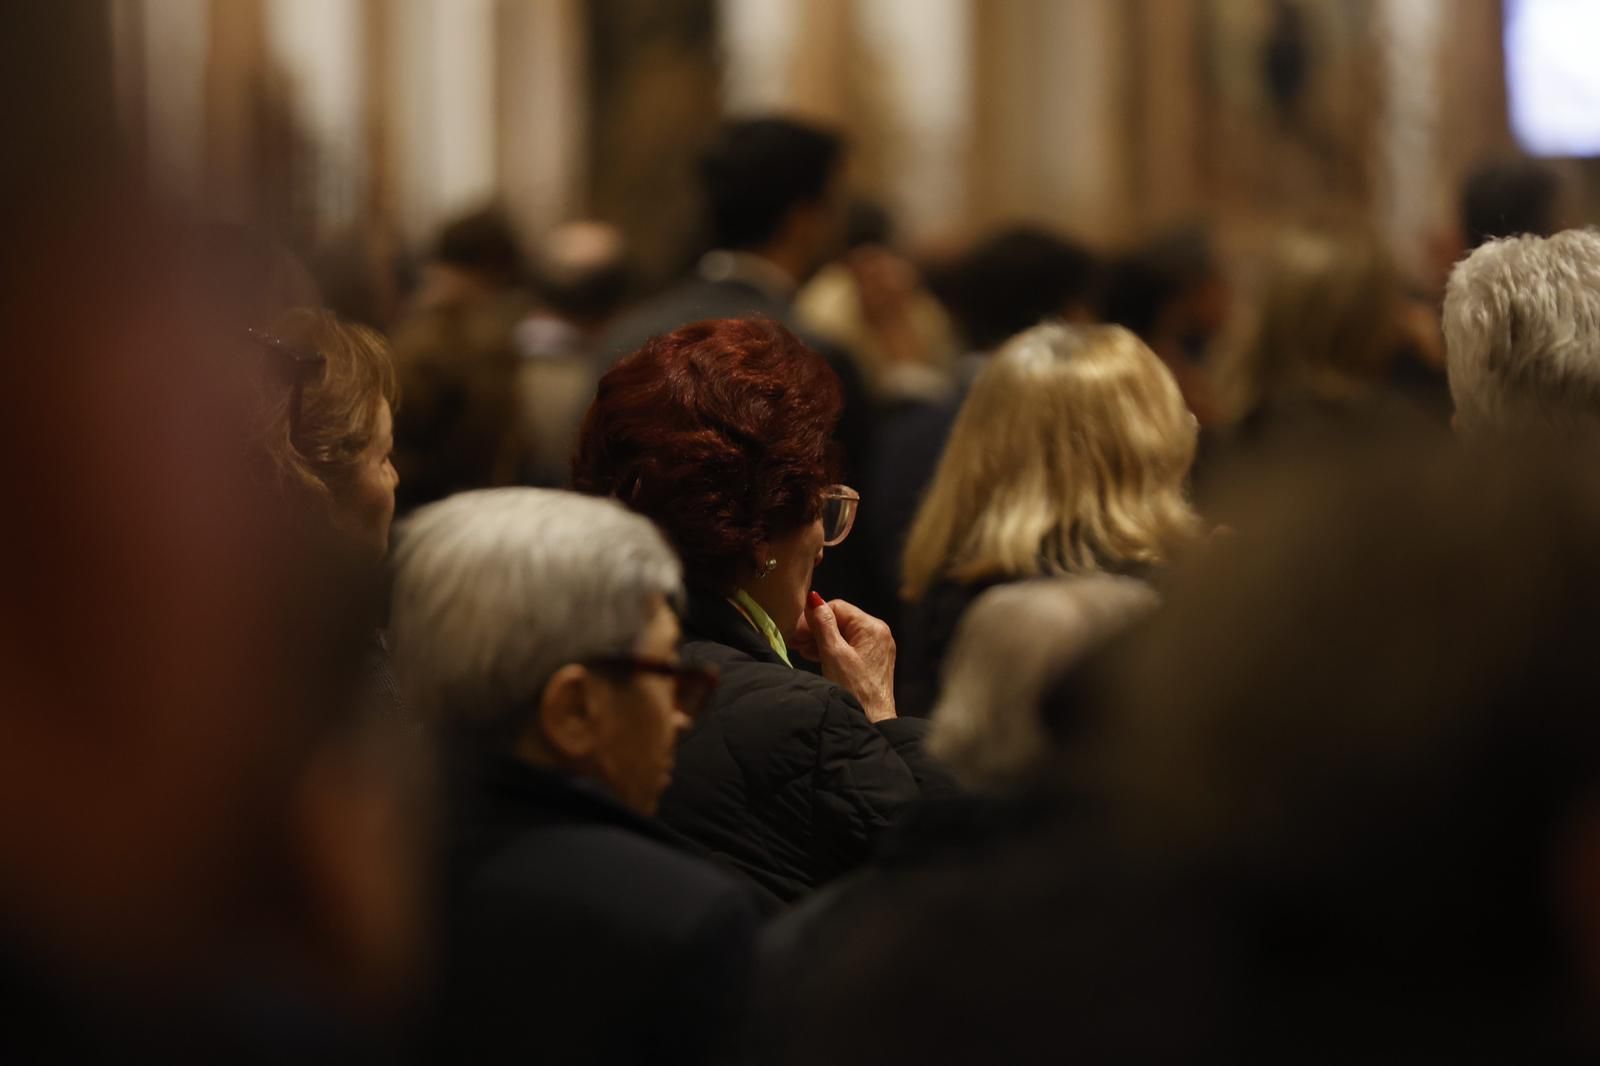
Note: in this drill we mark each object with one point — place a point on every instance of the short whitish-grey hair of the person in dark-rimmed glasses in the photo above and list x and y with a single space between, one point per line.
498 590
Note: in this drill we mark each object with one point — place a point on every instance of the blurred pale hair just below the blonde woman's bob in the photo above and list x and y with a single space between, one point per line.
1012 643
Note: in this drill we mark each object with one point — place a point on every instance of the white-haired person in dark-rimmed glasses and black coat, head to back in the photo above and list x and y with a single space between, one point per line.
538 630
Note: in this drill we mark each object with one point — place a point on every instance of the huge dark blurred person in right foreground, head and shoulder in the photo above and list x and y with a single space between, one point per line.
1343 806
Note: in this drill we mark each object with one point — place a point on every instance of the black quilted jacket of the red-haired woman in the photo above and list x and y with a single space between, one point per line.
783 777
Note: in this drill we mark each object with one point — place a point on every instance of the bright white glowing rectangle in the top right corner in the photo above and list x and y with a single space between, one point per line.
1553 76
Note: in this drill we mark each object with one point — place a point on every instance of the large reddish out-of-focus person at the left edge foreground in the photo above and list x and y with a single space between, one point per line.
172 663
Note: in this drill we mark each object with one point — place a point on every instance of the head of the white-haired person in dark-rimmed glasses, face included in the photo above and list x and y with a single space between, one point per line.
543 625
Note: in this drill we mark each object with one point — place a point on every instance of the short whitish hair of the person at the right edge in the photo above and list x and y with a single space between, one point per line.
1522 334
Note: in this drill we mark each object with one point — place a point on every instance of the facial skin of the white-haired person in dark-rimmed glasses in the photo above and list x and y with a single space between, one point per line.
638 721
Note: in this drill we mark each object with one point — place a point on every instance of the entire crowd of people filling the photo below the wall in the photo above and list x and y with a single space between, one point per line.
1020 655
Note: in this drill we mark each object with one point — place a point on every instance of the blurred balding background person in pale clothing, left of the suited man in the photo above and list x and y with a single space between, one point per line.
582 281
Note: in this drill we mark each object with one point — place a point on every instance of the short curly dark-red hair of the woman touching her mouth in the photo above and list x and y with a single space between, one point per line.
719 433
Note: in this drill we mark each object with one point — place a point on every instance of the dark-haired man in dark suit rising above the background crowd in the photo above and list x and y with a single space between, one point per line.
775 204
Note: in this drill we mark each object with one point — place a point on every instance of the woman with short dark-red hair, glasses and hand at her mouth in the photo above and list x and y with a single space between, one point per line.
721 433
